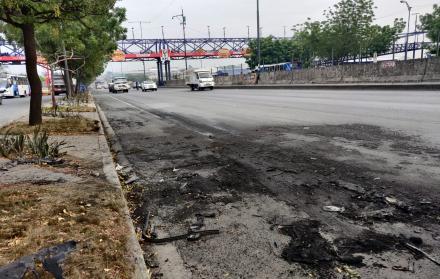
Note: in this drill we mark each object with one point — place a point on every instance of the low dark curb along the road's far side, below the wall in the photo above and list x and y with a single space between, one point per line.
391 86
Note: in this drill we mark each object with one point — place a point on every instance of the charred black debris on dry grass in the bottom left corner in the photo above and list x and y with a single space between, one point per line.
51 258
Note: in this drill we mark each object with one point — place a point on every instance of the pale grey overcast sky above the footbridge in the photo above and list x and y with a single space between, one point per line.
235 15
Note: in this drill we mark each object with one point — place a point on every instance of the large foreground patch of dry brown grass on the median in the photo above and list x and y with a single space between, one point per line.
35 217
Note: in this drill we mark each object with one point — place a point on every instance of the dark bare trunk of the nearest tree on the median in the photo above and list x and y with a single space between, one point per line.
30 50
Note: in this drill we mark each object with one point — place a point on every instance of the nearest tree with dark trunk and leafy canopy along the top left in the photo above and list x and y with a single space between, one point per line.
27 14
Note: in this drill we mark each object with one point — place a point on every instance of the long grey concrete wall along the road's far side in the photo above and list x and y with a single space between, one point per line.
426 70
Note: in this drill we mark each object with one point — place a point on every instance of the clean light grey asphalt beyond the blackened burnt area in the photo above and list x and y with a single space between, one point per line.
416 113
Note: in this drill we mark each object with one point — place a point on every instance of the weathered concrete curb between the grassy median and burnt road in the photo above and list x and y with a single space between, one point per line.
135 251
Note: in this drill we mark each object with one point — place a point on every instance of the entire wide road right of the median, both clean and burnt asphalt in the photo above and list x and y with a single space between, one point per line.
301 183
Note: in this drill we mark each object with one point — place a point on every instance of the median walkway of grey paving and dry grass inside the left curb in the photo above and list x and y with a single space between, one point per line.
79 200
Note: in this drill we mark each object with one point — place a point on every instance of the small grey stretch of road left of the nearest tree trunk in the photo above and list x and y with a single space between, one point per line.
13 109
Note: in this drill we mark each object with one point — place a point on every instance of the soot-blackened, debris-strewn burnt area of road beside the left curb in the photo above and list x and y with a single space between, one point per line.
342 201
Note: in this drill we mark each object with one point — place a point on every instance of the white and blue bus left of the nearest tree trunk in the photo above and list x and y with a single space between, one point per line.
14 86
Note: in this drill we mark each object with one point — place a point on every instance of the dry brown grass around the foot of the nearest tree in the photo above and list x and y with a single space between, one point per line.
56 126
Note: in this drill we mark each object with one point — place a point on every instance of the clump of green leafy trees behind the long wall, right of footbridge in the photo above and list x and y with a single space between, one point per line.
347 30
